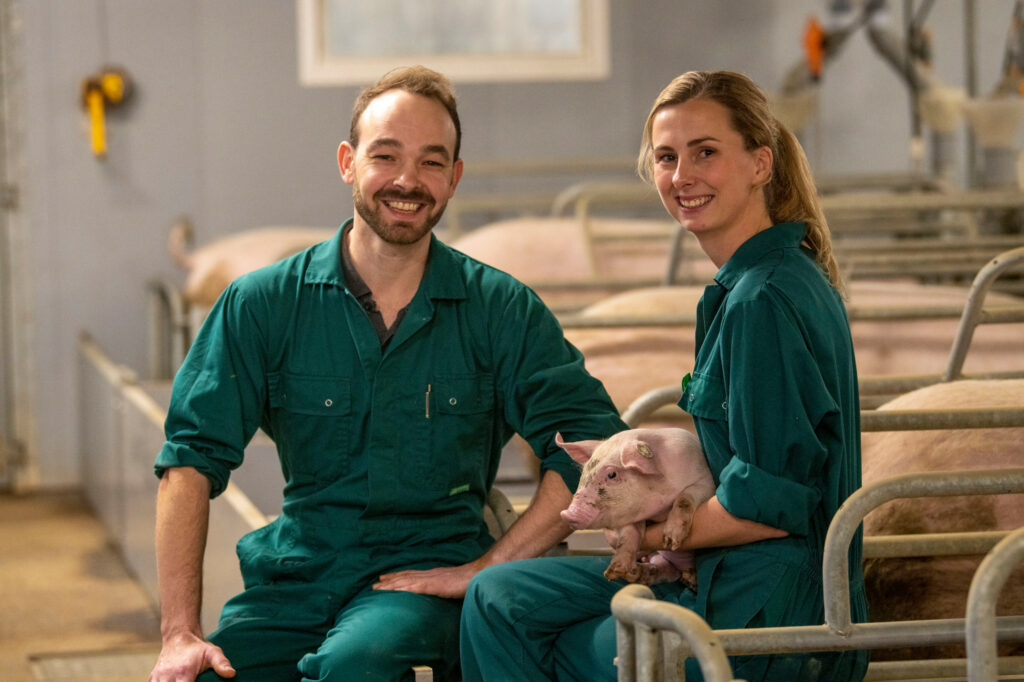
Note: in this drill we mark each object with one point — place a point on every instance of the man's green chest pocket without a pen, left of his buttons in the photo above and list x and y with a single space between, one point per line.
312 425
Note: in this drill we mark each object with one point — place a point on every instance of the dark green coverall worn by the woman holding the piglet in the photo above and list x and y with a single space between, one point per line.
775 400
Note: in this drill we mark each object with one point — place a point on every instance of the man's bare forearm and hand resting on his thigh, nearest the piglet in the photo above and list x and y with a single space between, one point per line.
540 529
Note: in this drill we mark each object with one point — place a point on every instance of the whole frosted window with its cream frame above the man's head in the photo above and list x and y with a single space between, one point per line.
346 42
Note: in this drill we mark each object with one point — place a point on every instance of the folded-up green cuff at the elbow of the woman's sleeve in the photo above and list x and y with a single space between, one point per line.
748 492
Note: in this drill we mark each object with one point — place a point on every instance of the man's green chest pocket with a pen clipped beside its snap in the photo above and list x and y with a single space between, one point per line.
464 428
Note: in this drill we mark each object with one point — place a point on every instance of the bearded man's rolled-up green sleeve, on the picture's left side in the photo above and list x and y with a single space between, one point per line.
218 397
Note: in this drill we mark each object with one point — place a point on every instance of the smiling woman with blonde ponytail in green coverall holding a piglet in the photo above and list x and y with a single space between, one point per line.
774 396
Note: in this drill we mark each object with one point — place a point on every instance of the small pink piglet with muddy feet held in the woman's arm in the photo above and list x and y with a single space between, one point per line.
637 477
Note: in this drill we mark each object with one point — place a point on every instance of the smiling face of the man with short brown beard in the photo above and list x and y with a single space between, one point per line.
403 174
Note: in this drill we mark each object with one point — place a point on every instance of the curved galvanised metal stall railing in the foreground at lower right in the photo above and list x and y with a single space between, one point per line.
839 632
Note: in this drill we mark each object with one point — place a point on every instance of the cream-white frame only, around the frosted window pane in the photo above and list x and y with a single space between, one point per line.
317 69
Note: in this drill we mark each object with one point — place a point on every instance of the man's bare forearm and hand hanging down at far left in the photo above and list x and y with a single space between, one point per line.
183 520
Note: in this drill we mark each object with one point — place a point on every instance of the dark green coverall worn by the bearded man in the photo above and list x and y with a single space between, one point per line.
388 457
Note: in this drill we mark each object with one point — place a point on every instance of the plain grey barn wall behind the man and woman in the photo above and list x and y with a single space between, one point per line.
222 132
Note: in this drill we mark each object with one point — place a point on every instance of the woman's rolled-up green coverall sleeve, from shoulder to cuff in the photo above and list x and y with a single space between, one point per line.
781 418
